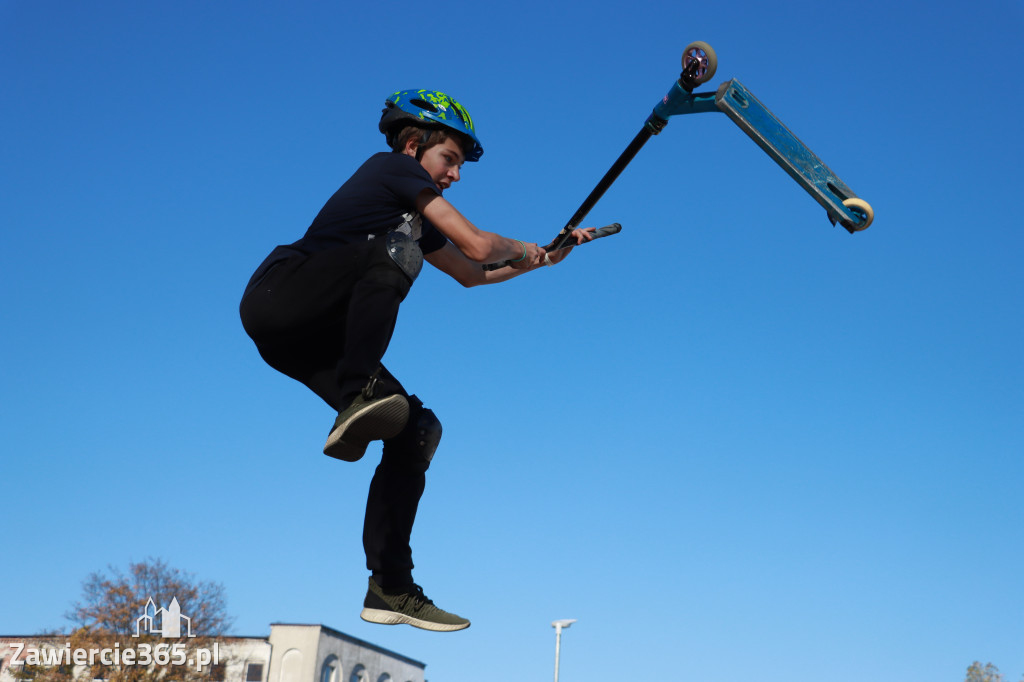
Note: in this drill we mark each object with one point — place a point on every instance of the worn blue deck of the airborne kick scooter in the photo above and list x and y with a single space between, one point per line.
795 158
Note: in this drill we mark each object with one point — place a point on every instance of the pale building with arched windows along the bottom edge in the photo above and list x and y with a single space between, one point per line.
291 654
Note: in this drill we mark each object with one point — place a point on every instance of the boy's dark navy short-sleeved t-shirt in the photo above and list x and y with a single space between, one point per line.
376 199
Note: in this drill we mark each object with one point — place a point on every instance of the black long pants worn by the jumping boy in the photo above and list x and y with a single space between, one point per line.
326 320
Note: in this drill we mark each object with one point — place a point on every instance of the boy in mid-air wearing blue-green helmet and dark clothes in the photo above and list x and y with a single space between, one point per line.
323 311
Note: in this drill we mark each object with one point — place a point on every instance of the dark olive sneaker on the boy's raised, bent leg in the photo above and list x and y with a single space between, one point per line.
366 420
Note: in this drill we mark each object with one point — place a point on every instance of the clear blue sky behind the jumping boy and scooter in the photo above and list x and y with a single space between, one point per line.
736 443
